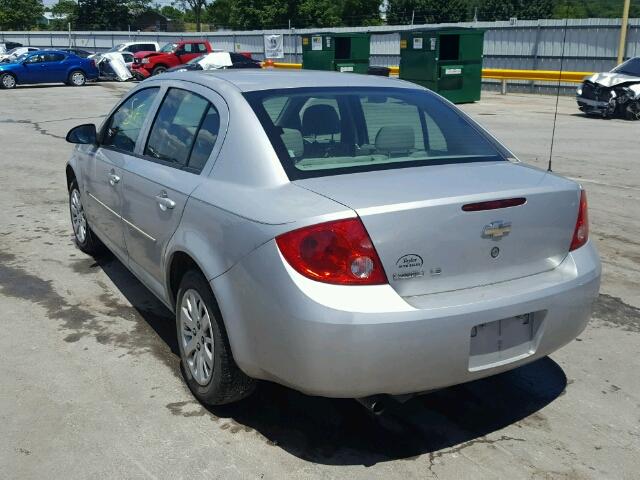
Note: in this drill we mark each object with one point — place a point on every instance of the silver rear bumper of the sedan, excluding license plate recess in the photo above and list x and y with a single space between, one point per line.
340 341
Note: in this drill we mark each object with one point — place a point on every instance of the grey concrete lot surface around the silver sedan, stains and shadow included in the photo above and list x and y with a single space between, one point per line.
89 379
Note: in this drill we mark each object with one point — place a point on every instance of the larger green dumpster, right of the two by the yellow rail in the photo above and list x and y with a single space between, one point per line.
447 60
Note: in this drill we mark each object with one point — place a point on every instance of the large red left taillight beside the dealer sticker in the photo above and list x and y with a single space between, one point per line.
338 252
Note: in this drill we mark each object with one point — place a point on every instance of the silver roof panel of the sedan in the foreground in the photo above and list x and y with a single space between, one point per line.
256 80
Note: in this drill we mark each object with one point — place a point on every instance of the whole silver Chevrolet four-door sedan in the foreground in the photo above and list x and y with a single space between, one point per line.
344 235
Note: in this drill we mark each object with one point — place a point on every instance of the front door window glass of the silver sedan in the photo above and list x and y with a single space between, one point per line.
123 128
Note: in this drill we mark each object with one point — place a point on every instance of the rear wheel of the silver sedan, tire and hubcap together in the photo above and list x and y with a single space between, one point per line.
204 345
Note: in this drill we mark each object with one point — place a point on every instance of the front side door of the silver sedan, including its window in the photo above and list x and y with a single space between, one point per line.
104 173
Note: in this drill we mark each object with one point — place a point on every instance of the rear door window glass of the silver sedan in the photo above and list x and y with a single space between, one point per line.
184 130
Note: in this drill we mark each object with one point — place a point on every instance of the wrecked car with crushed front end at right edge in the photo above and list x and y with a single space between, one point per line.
612 94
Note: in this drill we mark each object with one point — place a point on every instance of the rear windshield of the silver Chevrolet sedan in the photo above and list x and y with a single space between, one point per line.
330 131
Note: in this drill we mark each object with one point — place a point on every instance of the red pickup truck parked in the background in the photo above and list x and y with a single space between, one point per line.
146 64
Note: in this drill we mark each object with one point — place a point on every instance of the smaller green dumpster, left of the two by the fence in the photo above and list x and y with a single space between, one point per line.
342 52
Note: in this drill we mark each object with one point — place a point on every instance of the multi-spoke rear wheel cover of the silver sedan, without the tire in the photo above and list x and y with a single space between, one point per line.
196 336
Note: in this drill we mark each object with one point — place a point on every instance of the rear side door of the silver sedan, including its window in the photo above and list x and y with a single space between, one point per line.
166 170
